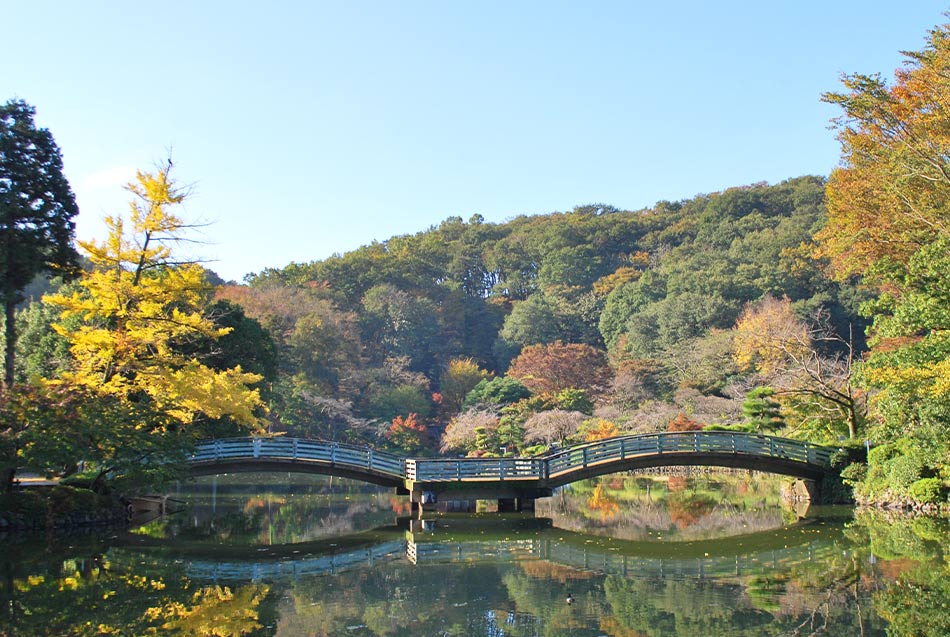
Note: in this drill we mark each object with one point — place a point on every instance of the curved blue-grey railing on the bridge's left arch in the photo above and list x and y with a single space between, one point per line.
299 449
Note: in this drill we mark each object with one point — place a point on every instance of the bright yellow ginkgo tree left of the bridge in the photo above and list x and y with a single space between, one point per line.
138 315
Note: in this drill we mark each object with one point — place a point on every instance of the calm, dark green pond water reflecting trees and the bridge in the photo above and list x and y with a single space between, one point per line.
623 556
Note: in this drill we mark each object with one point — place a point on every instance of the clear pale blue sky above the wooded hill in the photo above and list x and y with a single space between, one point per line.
310 128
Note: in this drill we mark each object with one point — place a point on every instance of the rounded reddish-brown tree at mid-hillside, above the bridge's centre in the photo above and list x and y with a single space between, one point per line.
558 366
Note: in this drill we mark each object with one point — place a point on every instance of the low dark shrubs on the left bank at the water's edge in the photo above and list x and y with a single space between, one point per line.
59 508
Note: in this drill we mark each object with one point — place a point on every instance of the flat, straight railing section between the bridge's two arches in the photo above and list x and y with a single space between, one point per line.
474 469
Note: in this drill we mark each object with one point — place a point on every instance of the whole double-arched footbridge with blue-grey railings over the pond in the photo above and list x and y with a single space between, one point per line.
514 482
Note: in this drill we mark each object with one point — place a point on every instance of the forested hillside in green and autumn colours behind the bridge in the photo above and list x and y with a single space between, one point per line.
642 303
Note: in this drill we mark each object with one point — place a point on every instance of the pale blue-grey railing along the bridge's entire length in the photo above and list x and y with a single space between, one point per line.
537 469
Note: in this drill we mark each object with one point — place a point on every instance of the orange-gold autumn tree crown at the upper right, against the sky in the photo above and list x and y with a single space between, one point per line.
890 196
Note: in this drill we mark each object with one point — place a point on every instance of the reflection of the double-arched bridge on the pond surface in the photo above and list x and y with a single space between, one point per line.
765 552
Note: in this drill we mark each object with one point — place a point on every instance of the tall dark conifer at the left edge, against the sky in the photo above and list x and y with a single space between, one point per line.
37 208
